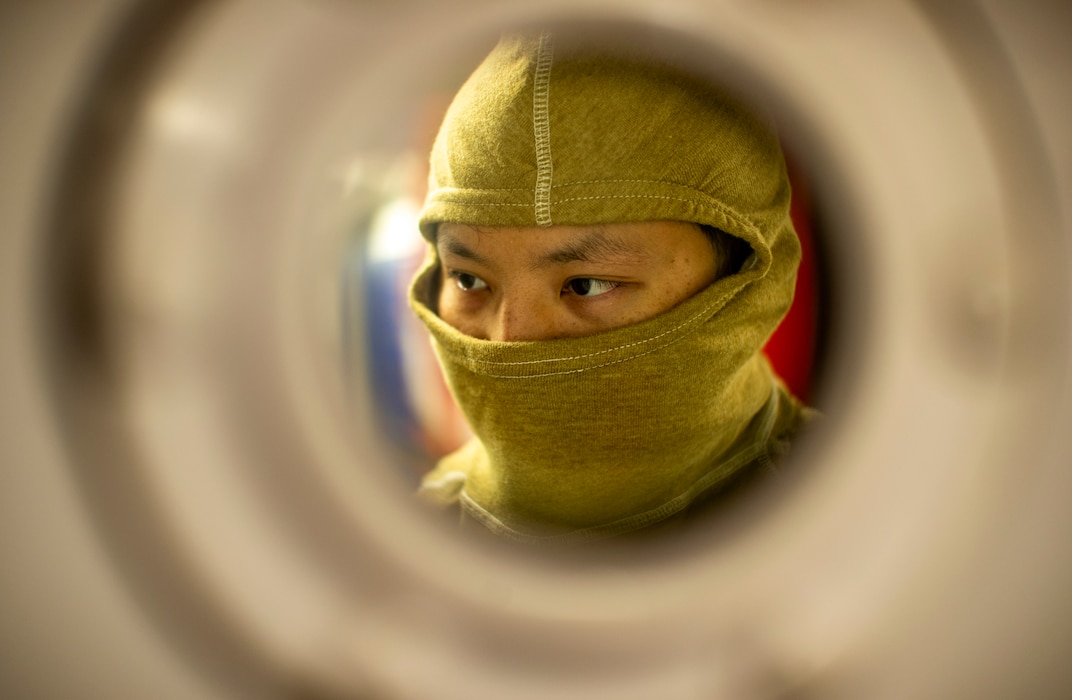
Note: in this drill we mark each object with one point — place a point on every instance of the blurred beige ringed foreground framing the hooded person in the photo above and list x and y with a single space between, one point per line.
200 497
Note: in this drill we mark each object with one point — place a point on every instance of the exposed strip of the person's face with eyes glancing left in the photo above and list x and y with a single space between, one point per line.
543 284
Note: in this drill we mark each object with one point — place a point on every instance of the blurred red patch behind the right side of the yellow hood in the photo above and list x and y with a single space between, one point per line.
792 349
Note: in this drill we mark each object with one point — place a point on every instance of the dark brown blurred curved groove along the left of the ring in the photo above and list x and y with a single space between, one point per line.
76 344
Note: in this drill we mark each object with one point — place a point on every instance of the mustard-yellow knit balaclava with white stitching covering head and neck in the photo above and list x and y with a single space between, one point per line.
586 438
